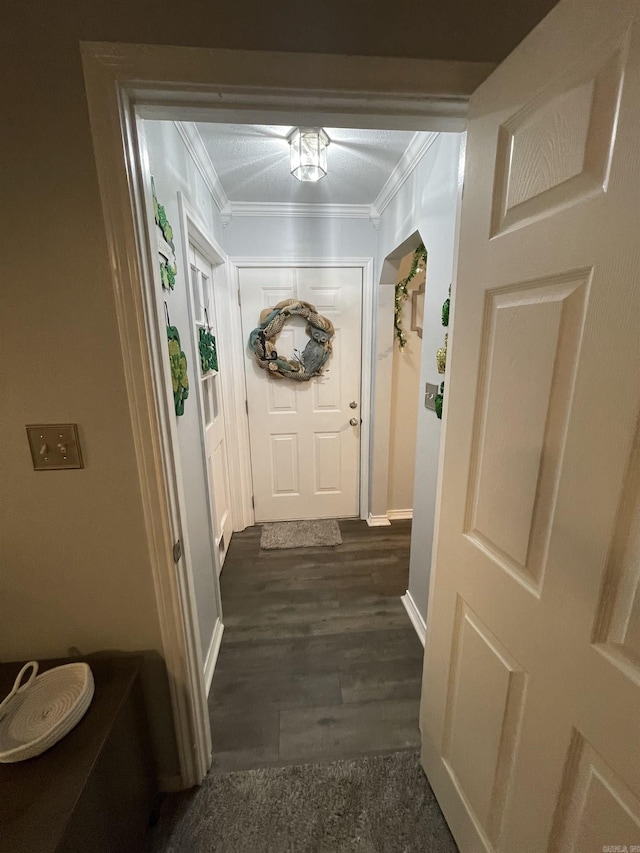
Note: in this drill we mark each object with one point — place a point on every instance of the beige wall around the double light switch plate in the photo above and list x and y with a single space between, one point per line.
75 569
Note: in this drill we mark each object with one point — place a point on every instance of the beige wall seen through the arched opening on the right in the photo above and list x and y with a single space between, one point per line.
404 405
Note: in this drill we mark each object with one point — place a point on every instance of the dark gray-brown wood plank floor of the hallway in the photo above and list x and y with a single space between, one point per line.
318 660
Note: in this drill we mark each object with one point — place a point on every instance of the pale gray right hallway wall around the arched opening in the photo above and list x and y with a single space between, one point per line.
427 202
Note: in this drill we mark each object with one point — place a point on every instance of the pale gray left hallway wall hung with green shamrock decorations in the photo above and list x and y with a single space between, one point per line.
174 171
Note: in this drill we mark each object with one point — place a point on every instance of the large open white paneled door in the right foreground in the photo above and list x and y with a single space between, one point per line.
530 711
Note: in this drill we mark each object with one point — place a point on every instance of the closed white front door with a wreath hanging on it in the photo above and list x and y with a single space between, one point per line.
305 453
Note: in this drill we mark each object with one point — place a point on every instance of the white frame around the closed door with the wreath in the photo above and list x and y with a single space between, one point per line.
368 309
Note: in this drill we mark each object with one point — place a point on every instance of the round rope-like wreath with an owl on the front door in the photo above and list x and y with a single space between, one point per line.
300 368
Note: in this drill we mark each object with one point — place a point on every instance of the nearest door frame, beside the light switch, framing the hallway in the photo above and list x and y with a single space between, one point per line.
125 83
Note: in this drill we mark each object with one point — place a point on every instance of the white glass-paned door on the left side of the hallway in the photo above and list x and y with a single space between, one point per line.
213 429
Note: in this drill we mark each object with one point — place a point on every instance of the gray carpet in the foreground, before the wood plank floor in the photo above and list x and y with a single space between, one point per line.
375 804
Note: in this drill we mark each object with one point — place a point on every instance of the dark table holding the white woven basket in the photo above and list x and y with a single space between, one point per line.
95 789
